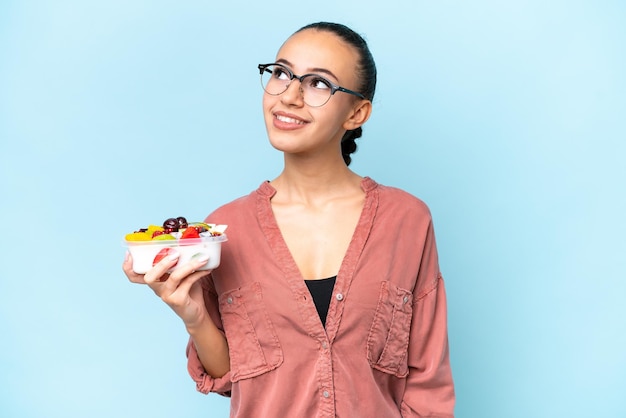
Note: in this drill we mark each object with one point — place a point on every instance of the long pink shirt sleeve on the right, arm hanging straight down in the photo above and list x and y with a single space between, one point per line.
429 389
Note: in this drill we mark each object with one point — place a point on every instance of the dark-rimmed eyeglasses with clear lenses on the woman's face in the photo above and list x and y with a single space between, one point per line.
315 89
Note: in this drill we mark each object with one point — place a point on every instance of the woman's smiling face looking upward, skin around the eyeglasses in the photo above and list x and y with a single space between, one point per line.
293 126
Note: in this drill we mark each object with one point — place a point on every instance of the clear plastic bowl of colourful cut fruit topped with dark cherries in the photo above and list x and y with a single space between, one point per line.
191 240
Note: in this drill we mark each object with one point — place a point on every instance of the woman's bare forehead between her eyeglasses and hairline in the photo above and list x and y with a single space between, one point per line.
312 48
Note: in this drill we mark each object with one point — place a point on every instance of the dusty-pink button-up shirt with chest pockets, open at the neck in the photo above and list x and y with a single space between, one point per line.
384 351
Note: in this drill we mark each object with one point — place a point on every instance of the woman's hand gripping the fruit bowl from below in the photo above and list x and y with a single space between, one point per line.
180 290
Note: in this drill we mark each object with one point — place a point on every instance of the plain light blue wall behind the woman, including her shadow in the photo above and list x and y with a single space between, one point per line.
507 118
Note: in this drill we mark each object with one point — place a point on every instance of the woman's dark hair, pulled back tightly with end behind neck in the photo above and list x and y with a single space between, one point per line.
365 69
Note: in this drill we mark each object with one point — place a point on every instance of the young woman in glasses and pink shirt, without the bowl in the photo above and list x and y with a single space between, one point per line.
328 301
